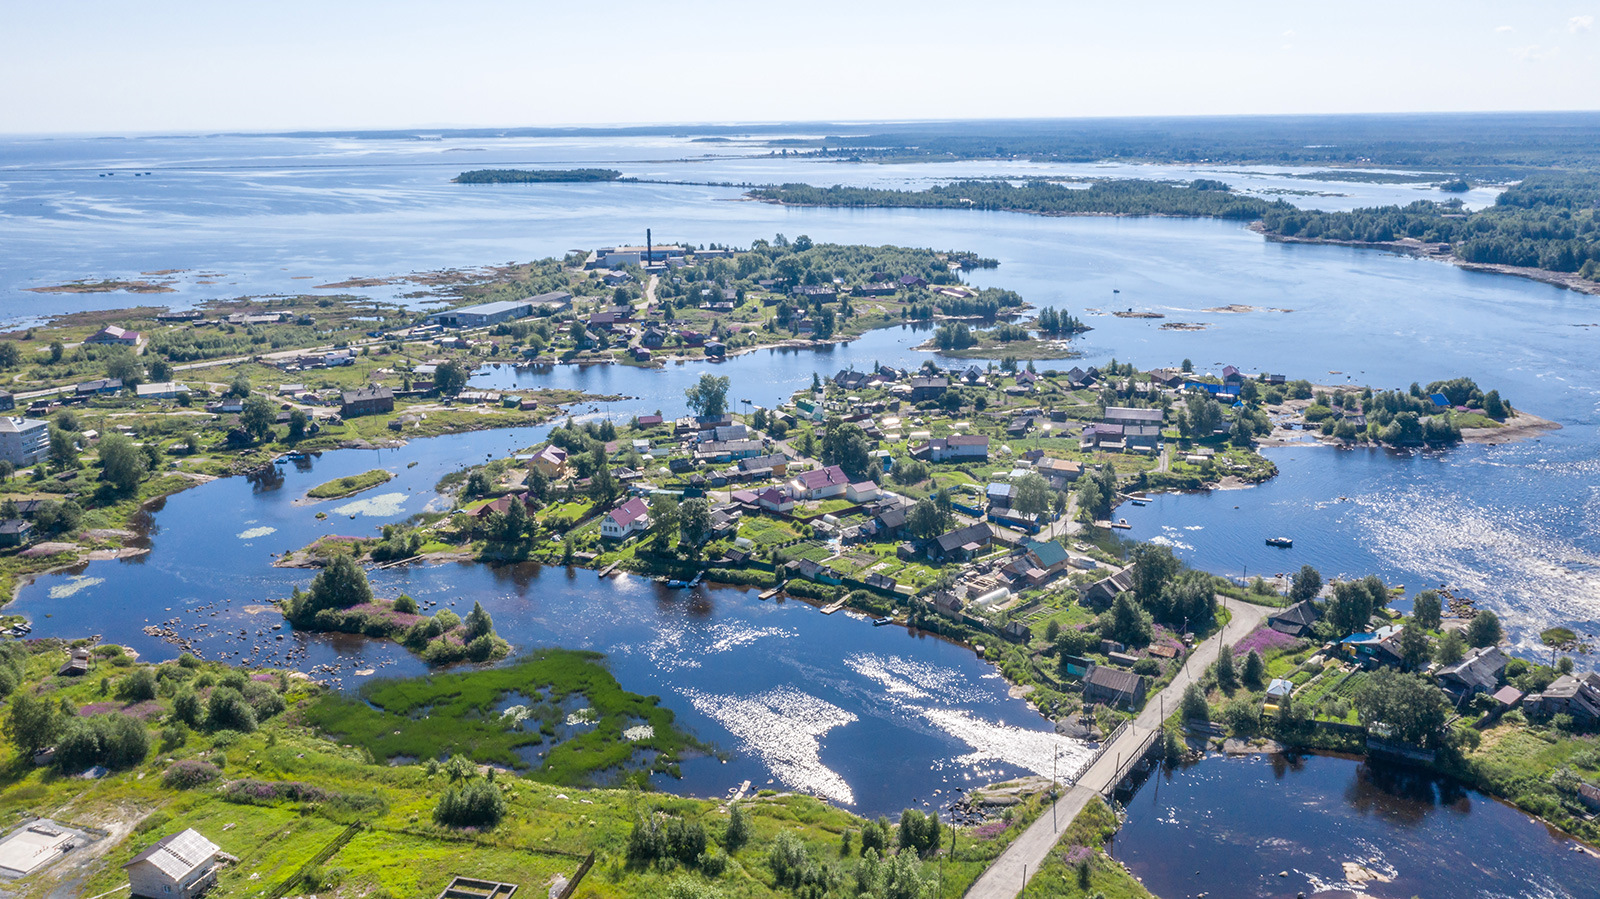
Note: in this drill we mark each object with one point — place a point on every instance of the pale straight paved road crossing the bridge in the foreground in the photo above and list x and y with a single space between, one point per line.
1010 873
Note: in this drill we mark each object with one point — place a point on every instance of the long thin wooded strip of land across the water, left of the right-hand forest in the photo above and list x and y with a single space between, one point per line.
1103 198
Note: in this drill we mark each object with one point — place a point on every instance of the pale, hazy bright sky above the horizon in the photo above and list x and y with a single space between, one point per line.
111 68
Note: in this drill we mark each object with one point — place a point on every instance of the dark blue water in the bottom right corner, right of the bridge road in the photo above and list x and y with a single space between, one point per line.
1231 826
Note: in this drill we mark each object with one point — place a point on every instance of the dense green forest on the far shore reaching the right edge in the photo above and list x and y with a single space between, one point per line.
1546 222
